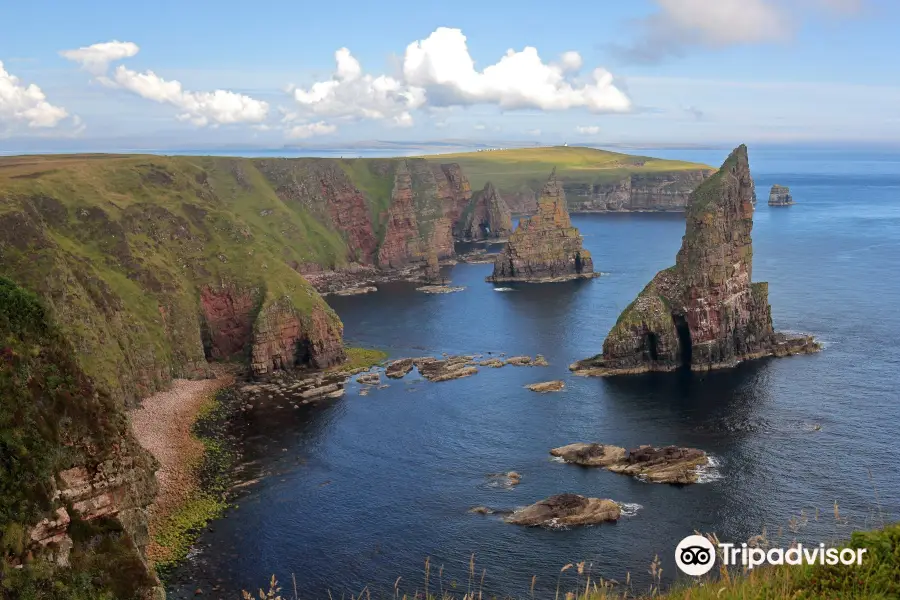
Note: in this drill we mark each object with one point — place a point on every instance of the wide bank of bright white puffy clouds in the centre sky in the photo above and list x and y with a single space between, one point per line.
438 72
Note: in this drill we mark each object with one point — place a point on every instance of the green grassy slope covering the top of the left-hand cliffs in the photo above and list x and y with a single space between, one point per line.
119 247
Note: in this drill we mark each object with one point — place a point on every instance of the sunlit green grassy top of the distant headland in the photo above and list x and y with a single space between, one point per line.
511 170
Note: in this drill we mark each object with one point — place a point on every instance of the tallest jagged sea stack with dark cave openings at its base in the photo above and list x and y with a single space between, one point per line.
704 312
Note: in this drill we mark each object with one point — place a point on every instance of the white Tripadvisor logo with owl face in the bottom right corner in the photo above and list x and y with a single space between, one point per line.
696 555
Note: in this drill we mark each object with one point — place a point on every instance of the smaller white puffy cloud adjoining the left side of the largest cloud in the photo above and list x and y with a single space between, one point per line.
351 95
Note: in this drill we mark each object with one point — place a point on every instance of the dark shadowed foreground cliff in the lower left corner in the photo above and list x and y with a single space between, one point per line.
75 485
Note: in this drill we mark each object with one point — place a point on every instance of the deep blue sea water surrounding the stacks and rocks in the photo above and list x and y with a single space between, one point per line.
363 489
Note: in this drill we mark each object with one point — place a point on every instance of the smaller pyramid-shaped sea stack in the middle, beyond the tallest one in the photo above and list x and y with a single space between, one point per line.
545 247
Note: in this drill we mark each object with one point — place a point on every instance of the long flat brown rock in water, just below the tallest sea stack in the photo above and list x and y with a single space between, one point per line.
670 464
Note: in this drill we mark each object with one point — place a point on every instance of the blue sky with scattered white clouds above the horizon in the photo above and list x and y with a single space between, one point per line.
104 74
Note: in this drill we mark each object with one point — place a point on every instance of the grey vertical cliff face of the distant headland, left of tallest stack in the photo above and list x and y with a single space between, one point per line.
646 192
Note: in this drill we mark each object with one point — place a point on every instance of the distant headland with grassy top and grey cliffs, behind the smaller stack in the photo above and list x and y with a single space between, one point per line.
594 180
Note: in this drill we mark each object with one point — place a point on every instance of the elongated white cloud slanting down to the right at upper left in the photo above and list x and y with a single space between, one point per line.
219 107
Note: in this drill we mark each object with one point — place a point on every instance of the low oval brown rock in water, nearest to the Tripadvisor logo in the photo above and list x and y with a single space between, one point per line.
565 510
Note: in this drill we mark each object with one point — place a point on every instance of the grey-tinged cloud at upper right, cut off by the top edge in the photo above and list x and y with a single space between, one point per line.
678 25
